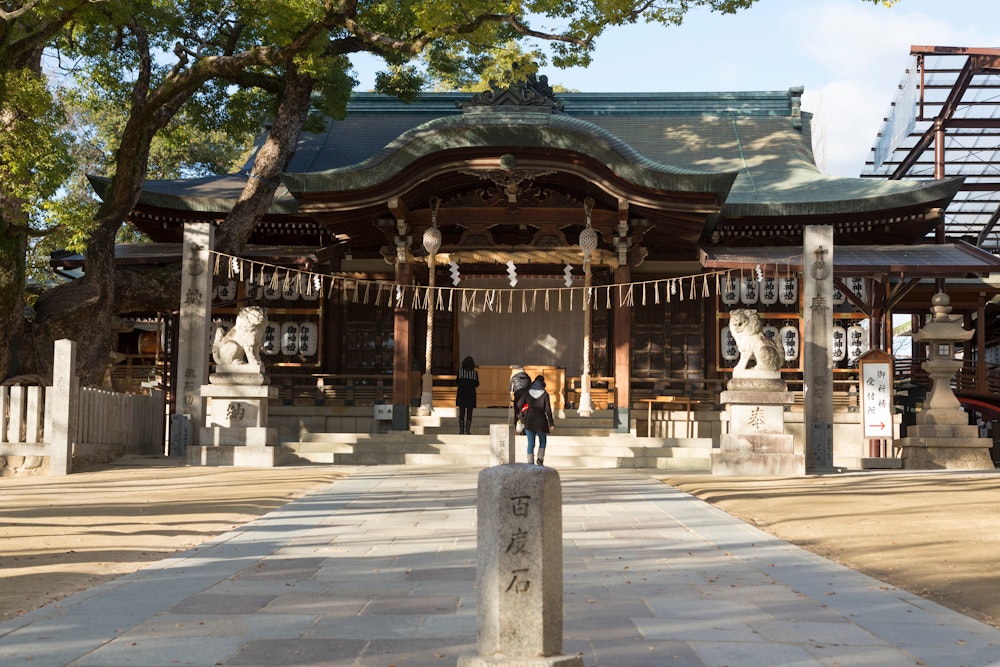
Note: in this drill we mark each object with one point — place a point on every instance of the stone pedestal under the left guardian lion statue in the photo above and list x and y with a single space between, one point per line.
236 431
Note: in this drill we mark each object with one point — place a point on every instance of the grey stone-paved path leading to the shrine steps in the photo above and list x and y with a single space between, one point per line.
379 569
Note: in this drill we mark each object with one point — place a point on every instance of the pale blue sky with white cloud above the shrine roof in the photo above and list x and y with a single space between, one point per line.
850 55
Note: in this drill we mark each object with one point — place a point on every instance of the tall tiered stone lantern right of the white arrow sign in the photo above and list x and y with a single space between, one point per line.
942 436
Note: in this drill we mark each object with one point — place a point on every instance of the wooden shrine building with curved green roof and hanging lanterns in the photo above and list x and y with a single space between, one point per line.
600 239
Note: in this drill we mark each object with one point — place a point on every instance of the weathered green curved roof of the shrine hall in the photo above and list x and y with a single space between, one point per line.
666 141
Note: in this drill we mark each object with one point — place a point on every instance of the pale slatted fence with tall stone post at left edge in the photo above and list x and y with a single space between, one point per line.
95 426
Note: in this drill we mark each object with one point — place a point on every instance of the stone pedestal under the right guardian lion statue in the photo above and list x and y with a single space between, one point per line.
756 443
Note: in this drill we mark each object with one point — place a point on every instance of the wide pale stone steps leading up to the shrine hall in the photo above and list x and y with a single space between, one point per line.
576 442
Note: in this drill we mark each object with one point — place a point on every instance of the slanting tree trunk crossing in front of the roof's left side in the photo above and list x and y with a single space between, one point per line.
270 161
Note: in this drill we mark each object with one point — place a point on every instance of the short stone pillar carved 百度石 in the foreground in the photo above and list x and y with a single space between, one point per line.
519 572
